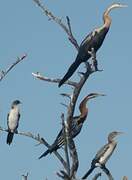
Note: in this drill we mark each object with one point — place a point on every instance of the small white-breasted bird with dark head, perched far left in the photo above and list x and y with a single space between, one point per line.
13 120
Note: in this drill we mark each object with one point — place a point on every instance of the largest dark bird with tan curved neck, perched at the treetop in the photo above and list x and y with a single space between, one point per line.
93 40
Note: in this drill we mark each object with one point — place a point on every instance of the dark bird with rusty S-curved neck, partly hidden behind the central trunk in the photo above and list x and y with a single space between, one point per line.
77 124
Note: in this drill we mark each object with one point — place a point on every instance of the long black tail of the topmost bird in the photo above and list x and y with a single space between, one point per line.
70 72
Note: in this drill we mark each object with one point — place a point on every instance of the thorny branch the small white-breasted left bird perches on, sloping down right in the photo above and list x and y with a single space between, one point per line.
40 141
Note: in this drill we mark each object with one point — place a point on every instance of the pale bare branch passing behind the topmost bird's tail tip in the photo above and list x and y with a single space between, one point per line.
52 80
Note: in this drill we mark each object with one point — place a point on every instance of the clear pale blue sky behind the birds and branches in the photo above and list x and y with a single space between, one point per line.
24 29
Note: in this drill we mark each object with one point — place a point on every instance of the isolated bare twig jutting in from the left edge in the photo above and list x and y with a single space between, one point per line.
4 73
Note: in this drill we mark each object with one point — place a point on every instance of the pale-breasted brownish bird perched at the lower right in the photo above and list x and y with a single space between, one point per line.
103 154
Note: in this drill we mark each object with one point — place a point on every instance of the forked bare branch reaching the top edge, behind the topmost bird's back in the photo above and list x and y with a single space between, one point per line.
59 22
